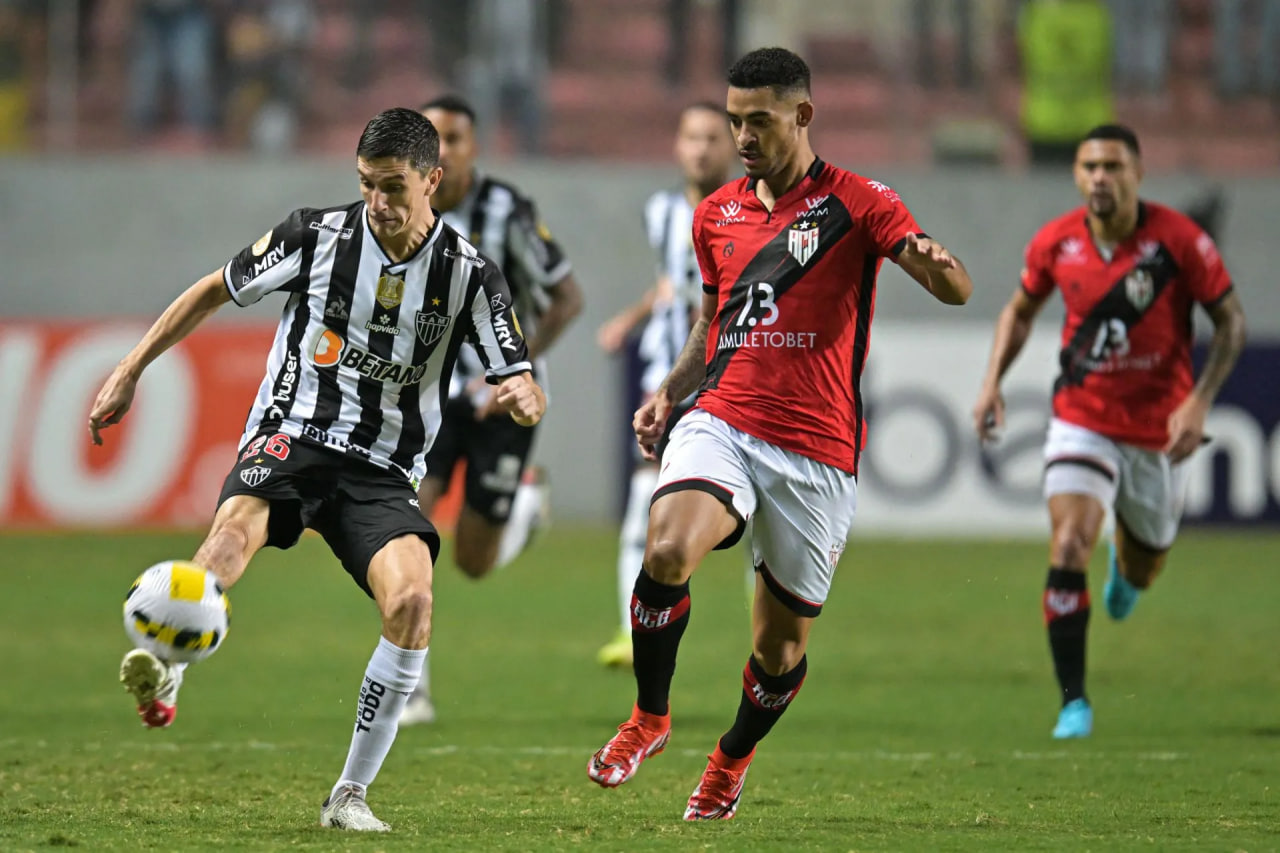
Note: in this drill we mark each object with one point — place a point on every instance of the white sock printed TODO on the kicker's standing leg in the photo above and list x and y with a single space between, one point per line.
391 677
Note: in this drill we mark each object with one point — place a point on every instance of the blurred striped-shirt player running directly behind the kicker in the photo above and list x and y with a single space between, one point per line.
502 501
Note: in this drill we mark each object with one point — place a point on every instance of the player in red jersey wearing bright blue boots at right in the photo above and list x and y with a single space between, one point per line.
1127 410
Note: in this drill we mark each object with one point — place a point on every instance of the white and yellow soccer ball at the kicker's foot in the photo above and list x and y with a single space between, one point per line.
177 612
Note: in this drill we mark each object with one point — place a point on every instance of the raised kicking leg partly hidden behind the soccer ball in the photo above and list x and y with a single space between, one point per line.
237 533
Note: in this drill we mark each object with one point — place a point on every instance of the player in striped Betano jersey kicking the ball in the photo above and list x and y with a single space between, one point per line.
382 295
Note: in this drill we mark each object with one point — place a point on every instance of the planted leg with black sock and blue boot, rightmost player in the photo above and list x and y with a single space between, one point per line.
1076 521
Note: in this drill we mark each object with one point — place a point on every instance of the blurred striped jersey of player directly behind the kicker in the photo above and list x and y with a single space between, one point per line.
505 226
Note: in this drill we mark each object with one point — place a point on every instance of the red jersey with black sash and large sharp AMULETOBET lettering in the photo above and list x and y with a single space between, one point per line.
797 293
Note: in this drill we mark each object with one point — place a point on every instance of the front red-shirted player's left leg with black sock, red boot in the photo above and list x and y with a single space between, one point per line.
685 524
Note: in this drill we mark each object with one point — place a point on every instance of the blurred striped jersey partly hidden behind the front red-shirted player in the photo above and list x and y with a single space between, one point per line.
670 225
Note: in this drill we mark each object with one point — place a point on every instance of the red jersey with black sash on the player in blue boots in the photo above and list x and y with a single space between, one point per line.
1126 362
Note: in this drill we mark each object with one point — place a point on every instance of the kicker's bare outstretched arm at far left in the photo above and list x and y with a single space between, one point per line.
179 321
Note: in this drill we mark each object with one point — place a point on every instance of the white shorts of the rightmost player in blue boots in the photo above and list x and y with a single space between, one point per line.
1142 486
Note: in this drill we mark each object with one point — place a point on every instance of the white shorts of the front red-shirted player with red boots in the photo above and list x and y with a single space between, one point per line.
802 509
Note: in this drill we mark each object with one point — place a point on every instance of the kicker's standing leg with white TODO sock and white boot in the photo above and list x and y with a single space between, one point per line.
400 578
